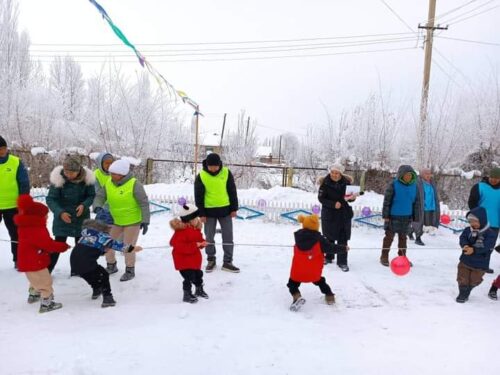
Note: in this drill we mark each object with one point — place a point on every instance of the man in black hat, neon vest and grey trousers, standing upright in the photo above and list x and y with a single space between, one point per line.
217 199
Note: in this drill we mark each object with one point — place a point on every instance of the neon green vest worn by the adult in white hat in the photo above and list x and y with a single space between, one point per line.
122 204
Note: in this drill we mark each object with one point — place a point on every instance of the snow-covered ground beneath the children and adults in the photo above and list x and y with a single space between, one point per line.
381 324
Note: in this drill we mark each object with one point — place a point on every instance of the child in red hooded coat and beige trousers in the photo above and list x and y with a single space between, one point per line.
34 248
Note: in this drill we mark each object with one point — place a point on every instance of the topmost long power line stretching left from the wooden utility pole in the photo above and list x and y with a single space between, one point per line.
225 42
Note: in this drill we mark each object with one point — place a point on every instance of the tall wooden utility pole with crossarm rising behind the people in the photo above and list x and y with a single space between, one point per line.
422 130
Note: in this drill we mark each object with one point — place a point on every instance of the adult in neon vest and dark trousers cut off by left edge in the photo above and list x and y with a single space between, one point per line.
14 181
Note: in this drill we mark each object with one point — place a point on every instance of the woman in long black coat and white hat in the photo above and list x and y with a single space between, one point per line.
336 214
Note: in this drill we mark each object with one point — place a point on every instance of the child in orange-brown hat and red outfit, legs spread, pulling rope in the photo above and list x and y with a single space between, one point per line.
308 259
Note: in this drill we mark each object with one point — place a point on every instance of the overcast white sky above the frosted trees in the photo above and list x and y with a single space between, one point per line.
282 94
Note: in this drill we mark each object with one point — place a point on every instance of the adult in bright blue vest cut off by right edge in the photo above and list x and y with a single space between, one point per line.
486 194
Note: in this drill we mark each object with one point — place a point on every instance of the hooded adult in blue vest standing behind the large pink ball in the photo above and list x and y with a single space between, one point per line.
401 207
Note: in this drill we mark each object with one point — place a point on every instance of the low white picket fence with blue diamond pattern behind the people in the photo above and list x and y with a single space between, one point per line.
272 210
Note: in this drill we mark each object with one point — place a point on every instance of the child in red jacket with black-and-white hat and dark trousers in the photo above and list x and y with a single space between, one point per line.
187 242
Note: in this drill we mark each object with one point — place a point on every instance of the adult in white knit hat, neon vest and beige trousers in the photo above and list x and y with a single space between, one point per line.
129 207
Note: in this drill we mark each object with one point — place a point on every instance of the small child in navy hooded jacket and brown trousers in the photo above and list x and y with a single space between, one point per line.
477 242
